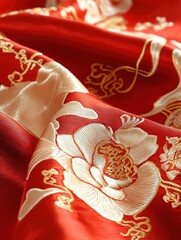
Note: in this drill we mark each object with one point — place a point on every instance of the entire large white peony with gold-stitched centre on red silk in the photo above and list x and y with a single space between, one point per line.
108 170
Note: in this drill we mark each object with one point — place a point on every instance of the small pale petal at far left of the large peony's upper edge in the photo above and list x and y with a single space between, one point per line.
66 143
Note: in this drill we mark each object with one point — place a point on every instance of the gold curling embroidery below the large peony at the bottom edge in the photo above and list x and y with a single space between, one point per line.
137 229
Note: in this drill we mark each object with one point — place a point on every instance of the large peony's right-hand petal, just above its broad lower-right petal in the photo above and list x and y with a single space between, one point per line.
143 151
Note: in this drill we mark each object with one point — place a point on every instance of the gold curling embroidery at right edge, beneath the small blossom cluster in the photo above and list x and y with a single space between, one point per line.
173 197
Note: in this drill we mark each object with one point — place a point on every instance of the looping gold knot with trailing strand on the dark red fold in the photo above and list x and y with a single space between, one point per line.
108 80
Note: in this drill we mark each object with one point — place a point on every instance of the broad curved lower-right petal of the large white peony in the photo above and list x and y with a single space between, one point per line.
140 194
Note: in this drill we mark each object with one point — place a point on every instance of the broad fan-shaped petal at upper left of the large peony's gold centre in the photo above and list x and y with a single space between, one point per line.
89 136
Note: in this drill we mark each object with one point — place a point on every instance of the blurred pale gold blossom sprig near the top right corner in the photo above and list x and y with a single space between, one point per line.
159 25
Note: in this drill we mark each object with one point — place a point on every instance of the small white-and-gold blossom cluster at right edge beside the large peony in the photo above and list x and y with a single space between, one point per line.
171 158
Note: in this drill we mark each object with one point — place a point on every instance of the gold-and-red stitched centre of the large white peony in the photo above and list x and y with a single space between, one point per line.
119 164
